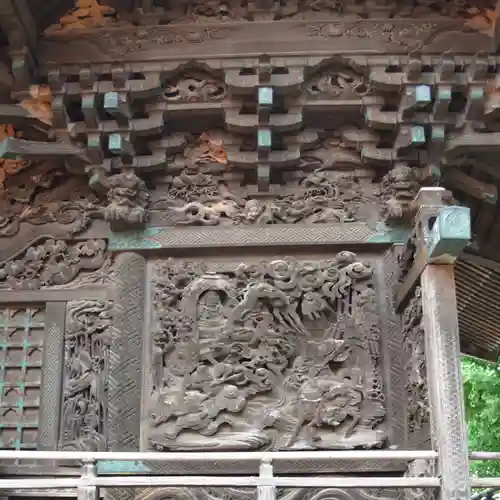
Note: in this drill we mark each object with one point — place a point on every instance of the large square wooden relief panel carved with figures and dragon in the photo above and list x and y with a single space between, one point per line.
280 355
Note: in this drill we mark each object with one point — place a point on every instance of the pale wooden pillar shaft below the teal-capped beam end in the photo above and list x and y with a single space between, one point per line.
442 346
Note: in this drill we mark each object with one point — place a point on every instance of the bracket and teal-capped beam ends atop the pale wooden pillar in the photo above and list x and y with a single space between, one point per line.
441 233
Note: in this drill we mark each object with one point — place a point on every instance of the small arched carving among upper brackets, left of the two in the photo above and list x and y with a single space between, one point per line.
195 87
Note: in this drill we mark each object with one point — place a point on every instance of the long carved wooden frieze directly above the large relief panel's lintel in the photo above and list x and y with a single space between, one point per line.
322 196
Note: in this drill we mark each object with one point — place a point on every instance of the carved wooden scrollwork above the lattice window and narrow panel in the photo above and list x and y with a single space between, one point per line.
52 263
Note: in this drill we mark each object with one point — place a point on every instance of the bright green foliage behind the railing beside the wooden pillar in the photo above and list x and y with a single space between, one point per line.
481 382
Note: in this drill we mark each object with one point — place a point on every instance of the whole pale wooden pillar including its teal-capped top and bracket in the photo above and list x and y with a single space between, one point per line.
441 232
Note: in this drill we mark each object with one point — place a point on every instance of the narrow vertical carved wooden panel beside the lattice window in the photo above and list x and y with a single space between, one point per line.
86 347
